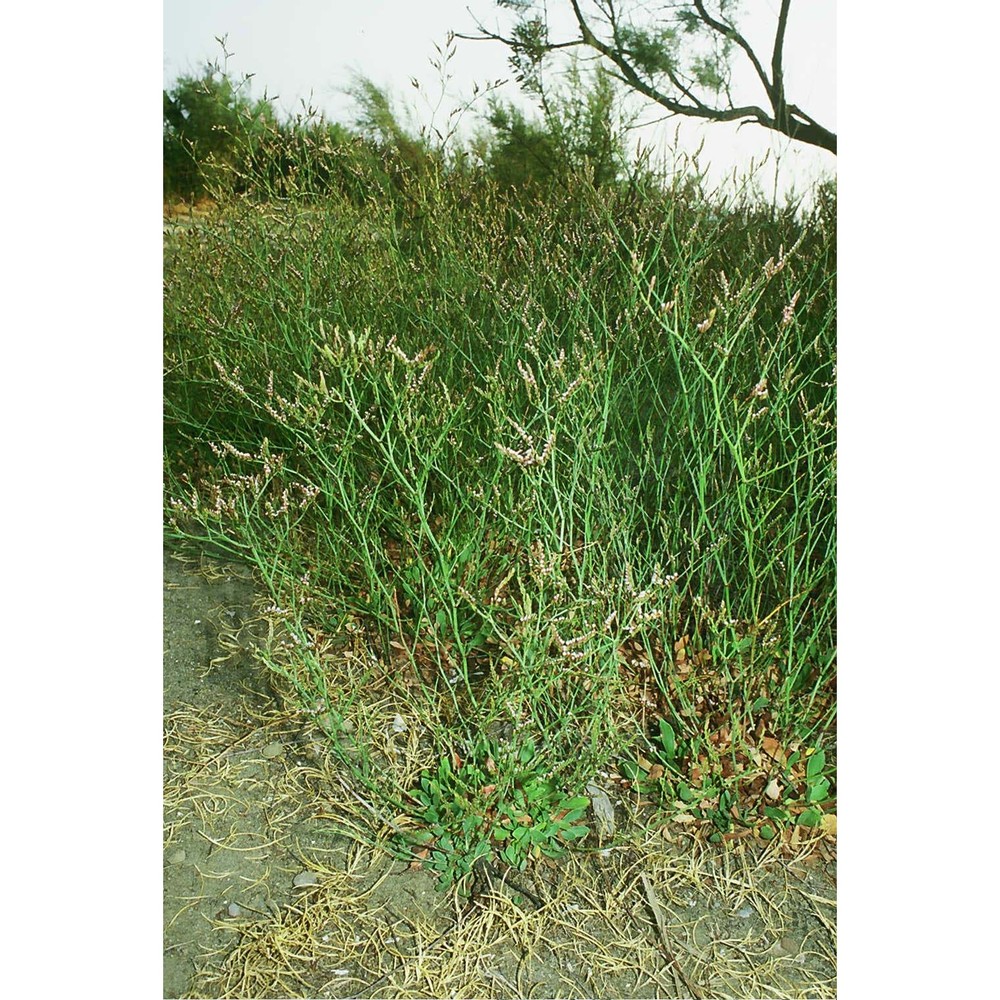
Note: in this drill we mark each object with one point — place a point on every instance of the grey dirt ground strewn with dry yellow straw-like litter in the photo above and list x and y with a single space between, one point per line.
265 896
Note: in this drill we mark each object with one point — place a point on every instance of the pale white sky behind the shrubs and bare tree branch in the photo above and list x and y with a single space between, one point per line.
308 49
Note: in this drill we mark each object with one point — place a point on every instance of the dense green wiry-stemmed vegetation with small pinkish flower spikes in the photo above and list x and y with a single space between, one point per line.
541 488
